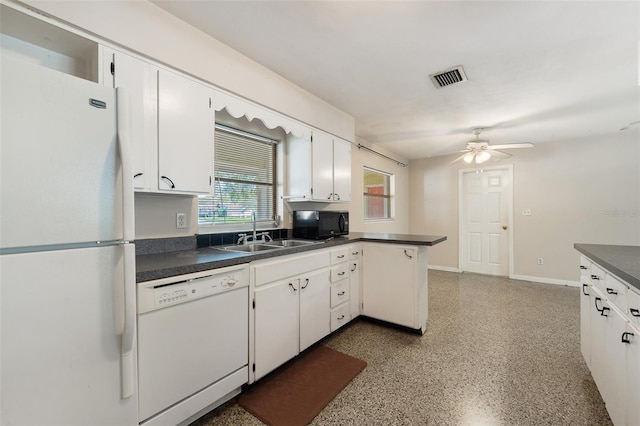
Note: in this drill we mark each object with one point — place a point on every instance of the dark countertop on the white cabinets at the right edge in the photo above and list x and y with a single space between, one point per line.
622 261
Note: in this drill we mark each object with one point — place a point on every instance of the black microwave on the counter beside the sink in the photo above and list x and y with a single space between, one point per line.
318 224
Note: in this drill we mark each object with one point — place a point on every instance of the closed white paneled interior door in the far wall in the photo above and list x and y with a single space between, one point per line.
485 213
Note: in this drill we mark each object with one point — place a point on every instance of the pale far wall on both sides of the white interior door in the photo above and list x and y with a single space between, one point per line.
579 191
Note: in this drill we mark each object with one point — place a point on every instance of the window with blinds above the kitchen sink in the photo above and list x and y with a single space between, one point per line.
244 179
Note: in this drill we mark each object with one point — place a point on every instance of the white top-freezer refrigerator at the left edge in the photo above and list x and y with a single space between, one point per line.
67 262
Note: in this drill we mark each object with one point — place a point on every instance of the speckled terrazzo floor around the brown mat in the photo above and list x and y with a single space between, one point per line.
496 352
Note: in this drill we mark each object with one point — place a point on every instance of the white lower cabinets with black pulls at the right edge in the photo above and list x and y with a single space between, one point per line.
610 342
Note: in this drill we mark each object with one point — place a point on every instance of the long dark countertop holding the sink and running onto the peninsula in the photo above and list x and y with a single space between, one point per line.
162 265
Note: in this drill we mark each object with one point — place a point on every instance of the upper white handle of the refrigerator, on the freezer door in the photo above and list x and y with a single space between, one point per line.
124 147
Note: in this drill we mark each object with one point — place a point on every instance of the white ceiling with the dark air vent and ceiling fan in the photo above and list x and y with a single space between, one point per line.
538 71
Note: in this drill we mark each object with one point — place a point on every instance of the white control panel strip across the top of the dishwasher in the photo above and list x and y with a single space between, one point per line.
158 294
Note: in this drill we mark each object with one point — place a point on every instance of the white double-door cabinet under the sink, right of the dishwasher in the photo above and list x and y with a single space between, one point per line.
291 308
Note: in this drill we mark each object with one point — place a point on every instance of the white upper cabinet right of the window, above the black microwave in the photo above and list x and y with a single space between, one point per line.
319 169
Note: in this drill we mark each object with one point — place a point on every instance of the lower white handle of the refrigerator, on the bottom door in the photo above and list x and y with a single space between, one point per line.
127 361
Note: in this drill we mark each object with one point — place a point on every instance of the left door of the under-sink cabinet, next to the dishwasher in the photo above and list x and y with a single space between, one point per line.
276 325
